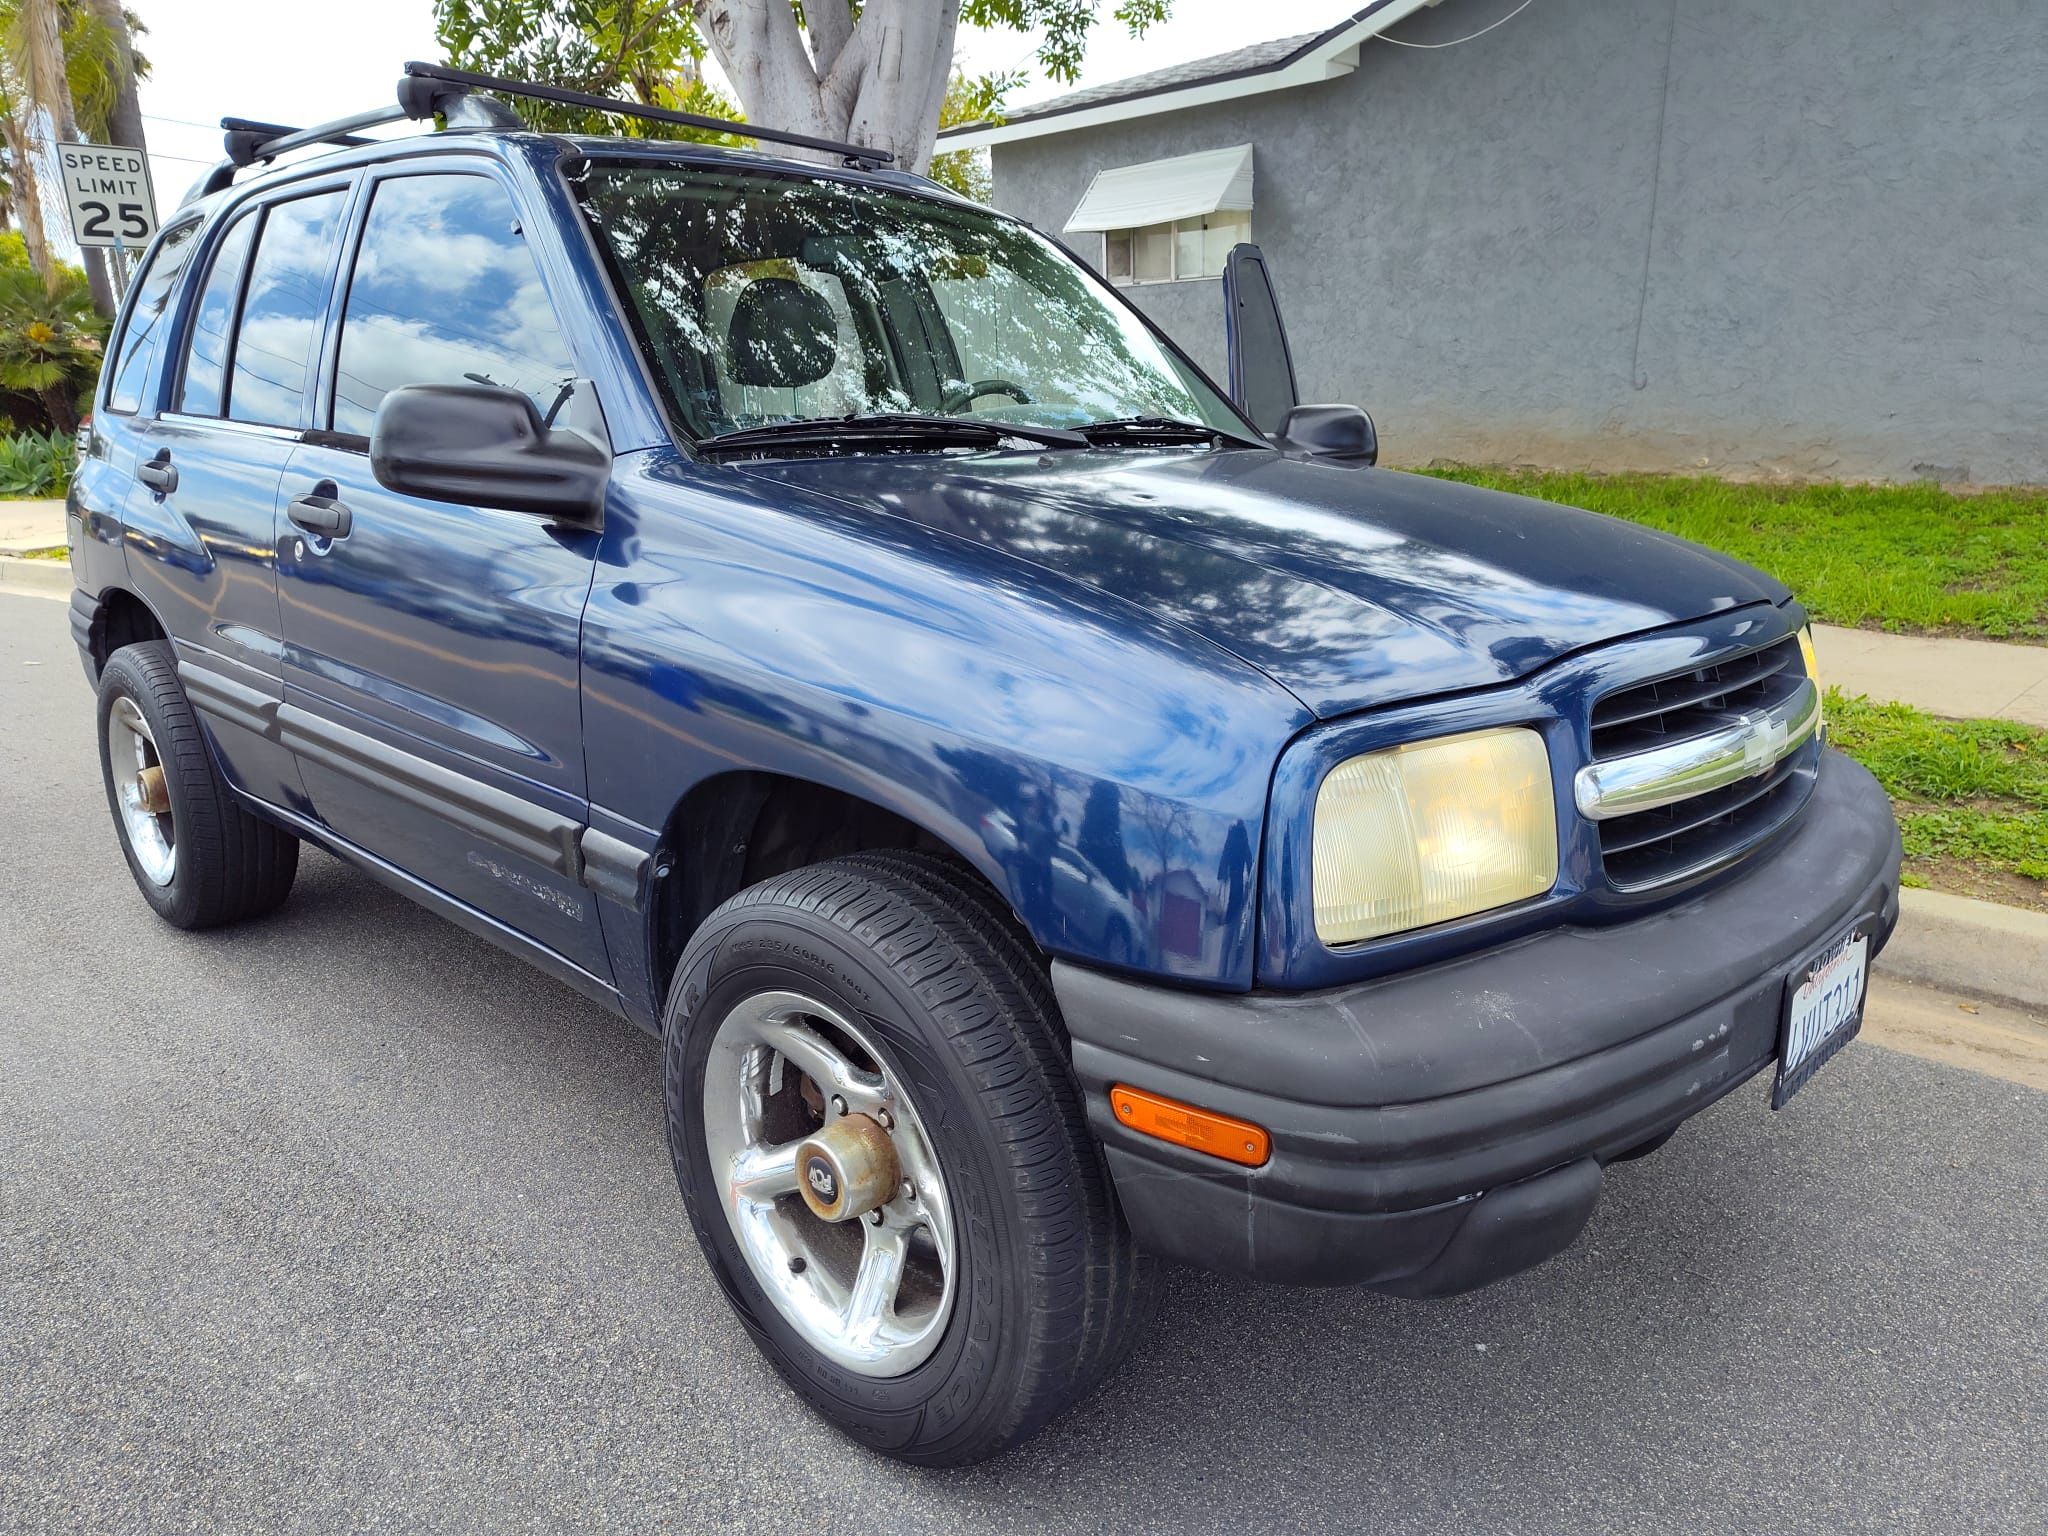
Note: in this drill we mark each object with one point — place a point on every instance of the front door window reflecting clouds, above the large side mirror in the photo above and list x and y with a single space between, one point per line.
445 292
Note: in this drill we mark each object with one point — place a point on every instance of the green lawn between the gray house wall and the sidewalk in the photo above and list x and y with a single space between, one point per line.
1904 558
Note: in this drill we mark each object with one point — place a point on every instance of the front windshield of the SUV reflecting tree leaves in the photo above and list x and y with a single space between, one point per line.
781 298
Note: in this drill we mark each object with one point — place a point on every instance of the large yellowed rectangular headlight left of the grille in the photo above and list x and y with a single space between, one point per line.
1433 830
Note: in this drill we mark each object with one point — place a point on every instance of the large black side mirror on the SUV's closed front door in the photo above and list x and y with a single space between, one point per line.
482 445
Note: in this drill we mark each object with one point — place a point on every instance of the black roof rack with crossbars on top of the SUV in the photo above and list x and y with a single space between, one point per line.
435 89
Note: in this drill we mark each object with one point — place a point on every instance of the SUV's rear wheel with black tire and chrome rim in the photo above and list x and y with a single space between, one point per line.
198 857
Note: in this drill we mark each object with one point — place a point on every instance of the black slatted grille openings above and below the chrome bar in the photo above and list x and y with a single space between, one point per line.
1648 849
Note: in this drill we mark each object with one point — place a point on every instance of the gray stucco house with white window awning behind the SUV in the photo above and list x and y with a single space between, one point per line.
1625 234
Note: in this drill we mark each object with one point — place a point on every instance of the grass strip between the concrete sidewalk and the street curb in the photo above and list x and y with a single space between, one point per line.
1971 796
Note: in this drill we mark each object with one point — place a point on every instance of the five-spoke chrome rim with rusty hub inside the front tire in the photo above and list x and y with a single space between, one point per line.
802 1117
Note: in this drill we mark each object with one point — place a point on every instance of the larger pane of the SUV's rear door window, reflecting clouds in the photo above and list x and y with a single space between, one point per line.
288 294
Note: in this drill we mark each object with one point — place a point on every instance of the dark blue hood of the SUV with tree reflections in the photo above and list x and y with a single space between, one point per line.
1349 587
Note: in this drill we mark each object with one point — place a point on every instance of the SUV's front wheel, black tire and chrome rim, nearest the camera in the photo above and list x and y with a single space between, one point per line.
886 990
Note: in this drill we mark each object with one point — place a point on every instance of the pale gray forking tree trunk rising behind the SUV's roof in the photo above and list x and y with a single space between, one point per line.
876 83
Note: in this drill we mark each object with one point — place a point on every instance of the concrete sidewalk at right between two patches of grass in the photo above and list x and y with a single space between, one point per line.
1945 677
